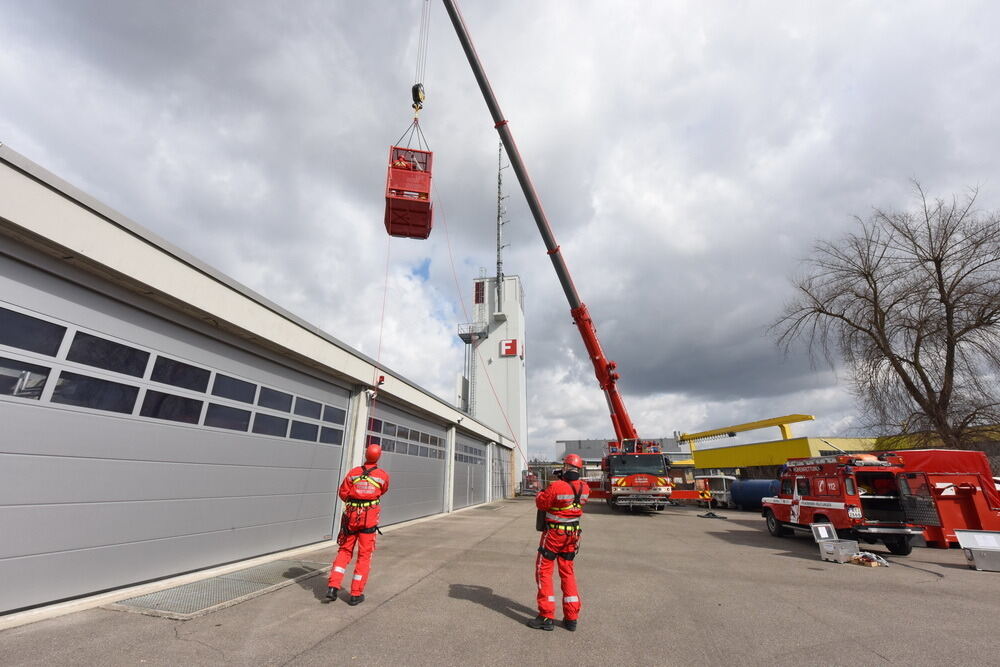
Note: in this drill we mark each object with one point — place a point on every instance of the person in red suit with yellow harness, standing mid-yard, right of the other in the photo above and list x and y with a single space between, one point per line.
562 503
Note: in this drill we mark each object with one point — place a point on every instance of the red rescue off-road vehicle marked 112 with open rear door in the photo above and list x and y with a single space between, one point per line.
874 499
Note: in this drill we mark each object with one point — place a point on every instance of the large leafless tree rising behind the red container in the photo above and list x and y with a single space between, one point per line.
911 303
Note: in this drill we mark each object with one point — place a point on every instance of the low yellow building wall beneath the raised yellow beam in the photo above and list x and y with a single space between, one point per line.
776 452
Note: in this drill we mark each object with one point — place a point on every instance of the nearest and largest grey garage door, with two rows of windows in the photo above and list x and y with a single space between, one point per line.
135 448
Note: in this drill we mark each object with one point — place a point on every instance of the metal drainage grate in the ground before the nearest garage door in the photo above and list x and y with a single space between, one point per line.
201 597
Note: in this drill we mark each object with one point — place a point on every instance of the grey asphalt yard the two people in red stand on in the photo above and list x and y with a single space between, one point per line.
666 588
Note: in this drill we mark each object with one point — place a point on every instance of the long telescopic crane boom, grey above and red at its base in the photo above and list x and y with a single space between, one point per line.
604 369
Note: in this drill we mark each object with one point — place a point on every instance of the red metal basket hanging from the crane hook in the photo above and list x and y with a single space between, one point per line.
408 207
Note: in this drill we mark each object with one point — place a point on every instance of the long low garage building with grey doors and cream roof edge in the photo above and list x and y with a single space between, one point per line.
160 418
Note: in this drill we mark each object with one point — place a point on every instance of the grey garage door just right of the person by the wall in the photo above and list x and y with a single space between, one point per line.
414 456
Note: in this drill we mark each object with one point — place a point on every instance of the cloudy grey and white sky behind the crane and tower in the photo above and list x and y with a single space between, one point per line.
688 155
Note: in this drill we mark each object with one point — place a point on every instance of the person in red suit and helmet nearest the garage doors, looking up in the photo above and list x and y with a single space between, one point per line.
360 491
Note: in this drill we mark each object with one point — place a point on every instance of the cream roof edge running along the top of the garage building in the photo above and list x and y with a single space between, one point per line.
161 271
